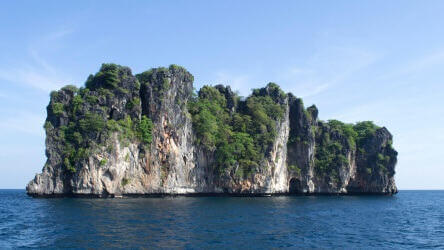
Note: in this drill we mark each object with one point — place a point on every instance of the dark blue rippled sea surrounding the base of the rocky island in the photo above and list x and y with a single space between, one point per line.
410 219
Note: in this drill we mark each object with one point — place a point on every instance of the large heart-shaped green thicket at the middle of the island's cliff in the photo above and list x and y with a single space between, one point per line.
239 139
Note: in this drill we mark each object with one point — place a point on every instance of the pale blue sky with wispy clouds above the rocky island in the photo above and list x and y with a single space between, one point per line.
356 60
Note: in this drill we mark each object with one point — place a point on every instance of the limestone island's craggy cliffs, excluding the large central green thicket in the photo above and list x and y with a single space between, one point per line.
134 135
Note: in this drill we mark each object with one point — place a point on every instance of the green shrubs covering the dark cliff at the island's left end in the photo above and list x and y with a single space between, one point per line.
89 113
